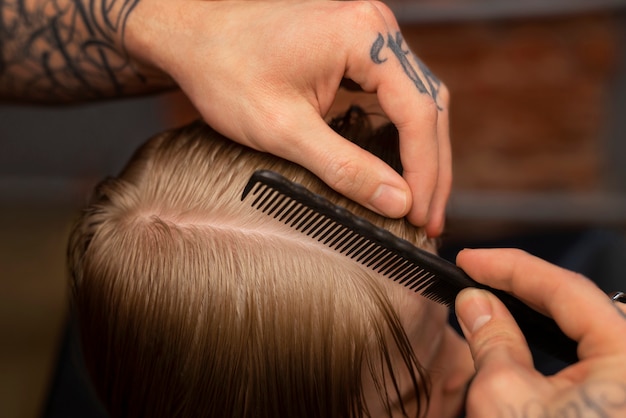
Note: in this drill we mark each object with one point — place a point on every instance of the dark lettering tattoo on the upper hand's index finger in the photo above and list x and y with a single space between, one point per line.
424 80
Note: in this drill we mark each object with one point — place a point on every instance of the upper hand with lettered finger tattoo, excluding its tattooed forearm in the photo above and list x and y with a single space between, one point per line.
266 73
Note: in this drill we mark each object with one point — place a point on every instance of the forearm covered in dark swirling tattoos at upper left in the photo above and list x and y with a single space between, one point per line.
64 50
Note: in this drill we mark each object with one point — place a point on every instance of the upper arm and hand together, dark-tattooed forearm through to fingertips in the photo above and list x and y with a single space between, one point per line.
264 73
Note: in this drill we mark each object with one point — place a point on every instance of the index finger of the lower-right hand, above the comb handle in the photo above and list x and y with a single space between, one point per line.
578 306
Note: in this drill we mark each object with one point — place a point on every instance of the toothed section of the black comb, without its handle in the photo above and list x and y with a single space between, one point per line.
351 236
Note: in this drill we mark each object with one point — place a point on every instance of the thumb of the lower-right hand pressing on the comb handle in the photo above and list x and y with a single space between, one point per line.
494 338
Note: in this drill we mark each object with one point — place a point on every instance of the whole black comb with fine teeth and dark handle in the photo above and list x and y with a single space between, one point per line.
393 257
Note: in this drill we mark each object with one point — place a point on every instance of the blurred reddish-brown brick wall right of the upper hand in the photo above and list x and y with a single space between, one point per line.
529 98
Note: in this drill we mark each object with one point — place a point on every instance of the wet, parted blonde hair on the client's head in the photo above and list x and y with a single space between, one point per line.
192 304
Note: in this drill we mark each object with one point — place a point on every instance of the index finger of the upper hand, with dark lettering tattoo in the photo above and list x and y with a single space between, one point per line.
416 103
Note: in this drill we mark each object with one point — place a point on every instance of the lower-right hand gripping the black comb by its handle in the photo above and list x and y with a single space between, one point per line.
506 384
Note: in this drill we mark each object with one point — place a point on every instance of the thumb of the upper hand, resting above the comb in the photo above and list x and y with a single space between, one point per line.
350 170
